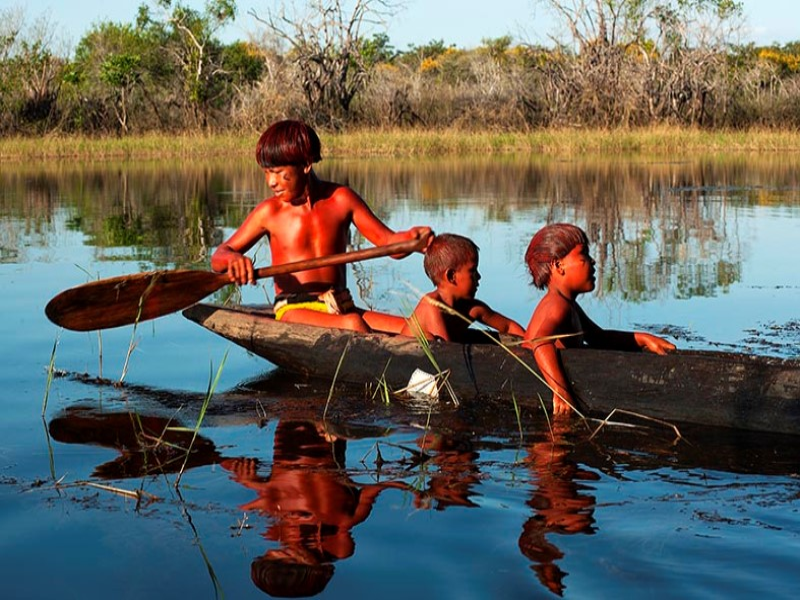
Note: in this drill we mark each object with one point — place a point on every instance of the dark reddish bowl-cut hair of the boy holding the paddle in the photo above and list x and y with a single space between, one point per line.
288 143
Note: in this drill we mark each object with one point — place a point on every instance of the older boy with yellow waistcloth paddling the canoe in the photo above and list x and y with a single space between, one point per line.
307 218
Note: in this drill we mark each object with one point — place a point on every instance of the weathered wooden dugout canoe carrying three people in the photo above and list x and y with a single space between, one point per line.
721 389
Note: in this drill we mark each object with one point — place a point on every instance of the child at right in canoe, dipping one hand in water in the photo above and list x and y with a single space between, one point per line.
558 259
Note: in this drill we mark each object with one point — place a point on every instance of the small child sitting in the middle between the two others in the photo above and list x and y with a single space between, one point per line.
451 263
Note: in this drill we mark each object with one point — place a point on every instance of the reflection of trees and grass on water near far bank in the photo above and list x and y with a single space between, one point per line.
660 228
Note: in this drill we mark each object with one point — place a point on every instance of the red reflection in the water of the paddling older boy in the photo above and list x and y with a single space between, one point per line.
313 504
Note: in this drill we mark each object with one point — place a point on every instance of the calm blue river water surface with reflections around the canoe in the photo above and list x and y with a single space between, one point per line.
97 497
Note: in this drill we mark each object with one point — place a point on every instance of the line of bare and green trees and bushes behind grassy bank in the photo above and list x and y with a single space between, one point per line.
621 63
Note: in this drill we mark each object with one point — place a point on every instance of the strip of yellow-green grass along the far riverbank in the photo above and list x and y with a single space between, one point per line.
365 143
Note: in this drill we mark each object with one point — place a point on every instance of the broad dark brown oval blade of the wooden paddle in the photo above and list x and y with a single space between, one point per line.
131 298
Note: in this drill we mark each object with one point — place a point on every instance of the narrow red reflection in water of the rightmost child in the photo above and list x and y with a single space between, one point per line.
560 503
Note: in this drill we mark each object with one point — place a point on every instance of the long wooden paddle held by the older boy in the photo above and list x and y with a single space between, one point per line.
134 298
